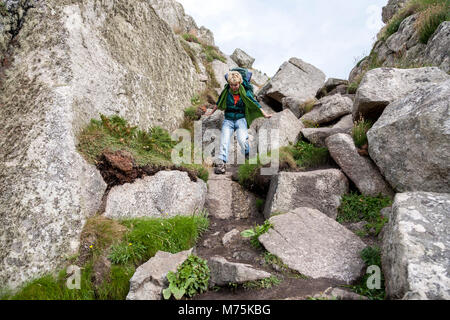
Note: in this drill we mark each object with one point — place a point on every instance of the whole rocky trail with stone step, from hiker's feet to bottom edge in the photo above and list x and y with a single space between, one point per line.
239 261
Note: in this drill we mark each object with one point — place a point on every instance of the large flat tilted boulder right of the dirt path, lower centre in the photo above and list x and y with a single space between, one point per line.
315 245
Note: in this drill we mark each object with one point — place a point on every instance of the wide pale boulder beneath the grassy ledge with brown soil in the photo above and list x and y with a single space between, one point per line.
164 195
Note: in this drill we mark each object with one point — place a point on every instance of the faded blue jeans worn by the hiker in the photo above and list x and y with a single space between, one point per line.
228 128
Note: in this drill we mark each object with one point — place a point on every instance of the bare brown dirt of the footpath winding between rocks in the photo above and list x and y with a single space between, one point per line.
240 250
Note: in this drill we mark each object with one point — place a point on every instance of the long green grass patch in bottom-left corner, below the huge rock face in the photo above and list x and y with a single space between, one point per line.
129 244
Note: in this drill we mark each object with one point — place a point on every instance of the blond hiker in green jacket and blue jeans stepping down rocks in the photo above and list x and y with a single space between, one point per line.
241 109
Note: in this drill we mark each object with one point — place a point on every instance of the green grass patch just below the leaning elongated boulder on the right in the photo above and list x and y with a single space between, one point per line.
356 208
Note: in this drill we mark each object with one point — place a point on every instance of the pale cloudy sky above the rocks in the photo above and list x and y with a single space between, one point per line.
330 34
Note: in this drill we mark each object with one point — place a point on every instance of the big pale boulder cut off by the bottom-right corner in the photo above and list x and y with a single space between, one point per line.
416 247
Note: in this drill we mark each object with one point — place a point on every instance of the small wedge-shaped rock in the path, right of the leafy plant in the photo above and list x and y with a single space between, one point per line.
224 272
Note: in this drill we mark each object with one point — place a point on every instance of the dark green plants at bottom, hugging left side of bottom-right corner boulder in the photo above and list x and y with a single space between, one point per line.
371 257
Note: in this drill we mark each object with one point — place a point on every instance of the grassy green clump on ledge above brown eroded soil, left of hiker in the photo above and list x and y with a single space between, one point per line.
151 147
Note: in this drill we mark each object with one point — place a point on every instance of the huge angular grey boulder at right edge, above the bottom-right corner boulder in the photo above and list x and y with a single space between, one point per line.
410 143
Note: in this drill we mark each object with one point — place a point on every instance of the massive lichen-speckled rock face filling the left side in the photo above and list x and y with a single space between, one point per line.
70 61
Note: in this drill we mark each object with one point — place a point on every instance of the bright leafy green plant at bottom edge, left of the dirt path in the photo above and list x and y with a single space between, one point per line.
192 277
